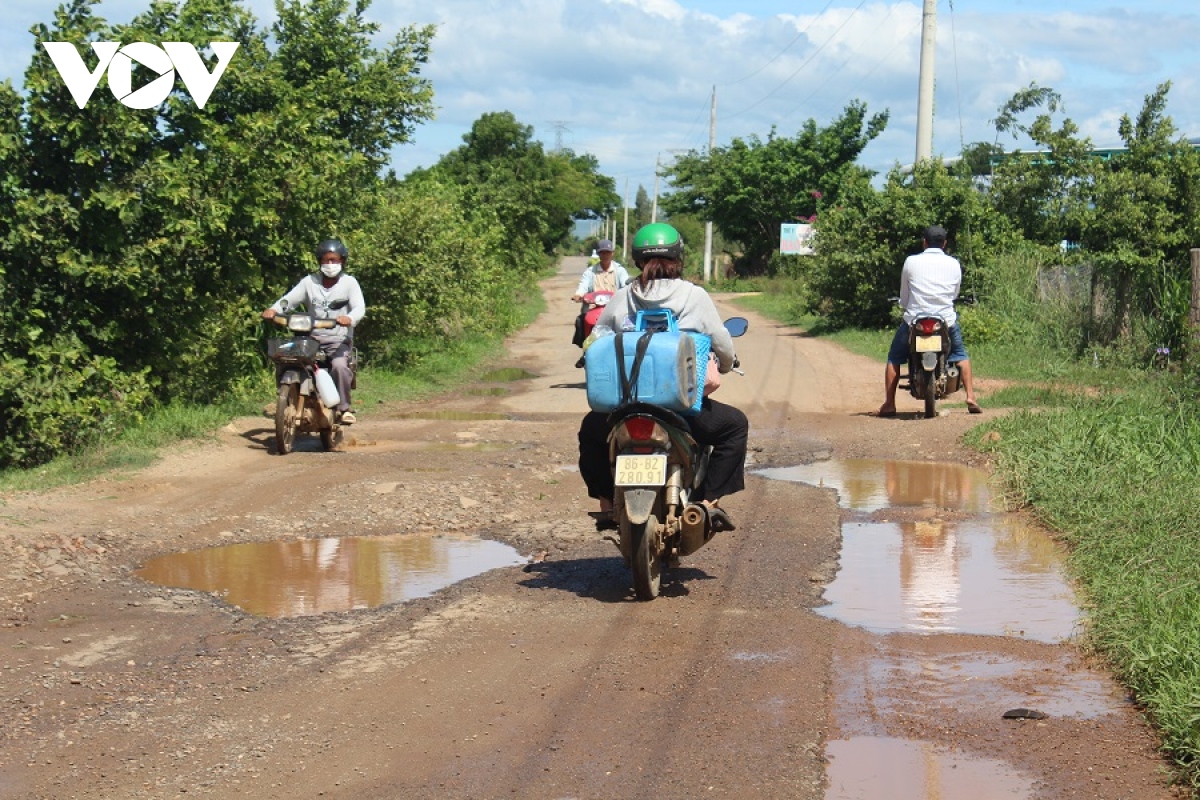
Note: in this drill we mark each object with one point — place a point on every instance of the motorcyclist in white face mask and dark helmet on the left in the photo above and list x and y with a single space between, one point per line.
331 294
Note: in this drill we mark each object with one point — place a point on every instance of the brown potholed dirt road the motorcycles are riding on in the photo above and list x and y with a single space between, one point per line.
545 681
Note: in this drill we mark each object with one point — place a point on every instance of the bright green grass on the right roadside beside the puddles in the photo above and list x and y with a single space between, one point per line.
1117 476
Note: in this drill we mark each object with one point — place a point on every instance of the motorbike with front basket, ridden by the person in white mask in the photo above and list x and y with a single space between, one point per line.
307 395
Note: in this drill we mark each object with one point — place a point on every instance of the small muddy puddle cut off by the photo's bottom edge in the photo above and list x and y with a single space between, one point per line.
897 769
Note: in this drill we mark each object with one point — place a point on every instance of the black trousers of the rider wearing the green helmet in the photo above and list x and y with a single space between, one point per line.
725 428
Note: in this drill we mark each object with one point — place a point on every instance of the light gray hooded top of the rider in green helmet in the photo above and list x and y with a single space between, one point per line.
692 306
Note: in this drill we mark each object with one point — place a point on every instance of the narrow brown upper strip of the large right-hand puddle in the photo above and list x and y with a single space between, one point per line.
868 485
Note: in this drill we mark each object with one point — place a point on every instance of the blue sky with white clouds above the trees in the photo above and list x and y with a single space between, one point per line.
631 81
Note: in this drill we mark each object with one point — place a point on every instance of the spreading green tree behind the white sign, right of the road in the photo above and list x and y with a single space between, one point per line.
751 188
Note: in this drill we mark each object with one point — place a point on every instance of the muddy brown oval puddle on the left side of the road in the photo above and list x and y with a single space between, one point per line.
316 576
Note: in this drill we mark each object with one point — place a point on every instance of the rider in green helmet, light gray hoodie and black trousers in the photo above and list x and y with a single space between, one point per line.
658 252
